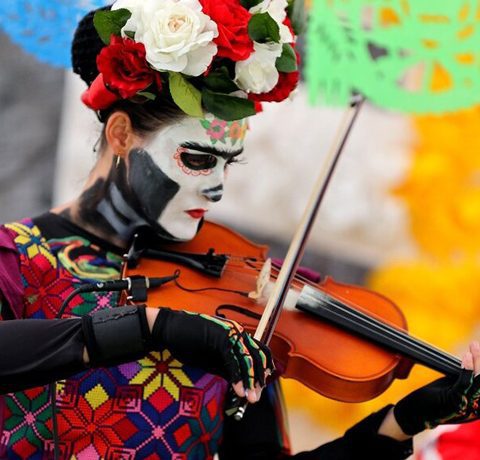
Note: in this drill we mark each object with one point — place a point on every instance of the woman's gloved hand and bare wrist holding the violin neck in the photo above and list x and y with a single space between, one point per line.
446 400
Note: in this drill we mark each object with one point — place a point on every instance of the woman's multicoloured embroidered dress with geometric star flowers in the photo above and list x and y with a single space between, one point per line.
155 408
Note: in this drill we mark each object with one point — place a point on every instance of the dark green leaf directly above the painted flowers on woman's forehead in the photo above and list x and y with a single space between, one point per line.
227 107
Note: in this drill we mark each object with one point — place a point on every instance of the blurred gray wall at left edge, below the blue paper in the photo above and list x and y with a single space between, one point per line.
30 101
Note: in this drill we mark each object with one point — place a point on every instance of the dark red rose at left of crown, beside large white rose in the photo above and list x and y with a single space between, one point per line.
124 67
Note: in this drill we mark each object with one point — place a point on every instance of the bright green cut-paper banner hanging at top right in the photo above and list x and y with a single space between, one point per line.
416 56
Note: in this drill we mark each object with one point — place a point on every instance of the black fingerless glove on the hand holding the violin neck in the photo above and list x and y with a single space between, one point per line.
446 400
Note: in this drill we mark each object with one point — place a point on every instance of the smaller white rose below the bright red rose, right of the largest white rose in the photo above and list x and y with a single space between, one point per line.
258 73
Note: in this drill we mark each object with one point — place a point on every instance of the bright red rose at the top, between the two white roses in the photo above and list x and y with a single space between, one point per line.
232 21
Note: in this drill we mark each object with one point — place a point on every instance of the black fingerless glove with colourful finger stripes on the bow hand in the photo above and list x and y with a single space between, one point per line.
215 345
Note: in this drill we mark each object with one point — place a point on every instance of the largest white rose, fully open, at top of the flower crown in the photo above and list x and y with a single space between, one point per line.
176 34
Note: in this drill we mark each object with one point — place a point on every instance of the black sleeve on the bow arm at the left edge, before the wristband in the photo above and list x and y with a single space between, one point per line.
35 352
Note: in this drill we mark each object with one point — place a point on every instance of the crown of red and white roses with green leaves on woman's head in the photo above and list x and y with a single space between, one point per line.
225 57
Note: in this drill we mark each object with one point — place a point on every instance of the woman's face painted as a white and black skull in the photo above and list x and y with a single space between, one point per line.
181 170
